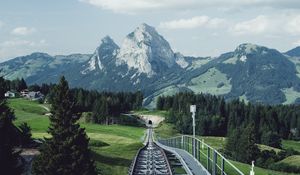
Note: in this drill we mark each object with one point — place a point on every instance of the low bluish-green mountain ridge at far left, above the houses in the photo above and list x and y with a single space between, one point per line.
41 67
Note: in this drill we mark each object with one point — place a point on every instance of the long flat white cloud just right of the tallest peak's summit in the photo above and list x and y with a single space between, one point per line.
194 22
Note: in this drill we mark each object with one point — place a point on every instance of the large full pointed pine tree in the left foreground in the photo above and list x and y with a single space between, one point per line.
66 152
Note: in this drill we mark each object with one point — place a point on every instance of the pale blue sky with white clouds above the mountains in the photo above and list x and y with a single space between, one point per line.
192 27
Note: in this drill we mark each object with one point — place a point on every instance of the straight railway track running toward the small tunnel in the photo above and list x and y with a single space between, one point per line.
150 160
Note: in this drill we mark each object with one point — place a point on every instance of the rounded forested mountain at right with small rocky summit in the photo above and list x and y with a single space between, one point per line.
260 74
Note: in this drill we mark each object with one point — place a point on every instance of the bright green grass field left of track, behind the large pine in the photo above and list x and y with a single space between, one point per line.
122 142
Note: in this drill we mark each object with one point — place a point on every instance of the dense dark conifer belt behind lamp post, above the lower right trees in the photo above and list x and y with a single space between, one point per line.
216 117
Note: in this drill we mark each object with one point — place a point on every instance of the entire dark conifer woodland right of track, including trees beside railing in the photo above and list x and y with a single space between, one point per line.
244 125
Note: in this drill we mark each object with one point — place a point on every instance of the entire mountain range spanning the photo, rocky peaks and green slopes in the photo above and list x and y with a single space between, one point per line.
145 61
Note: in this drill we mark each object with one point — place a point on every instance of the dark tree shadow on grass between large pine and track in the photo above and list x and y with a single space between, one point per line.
116 161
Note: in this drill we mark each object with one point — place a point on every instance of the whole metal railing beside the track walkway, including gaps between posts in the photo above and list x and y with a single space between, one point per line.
211 159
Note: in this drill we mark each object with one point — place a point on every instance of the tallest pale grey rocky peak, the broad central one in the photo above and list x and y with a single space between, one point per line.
144 49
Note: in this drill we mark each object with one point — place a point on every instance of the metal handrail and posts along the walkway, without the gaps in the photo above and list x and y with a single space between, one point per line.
212 160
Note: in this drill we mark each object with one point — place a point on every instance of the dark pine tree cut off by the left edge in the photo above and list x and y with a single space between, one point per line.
10 161
